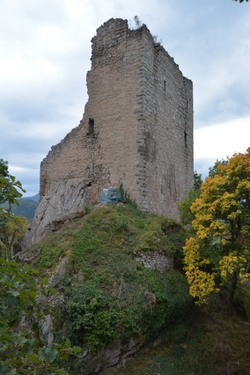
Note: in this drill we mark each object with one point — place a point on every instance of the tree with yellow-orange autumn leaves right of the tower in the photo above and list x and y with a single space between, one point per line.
219 250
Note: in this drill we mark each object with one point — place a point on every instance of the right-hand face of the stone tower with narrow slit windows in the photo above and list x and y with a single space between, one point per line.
166 131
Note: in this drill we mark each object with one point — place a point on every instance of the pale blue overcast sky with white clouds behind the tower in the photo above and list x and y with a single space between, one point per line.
45 52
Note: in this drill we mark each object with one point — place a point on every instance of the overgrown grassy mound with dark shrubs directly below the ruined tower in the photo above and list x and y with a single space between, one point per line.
107 294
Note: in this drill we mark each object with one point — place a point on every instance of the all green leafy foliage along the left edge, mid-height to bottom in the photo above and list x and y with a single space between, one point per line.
21 351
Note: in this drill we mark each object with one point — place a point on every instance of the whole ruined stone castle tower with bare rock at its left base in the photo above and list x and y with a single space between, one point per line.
137 130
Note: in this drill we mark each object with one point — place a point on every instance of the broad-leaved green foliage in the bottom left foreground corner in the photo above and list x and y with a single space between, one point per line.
21 351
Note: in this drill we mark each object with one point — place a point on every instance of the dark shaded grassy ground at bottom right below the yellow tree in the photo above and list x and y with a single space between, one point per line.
210 341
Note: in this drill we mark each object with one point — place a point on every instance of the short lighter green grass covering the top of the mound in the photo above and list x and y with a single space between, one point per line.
105 237
